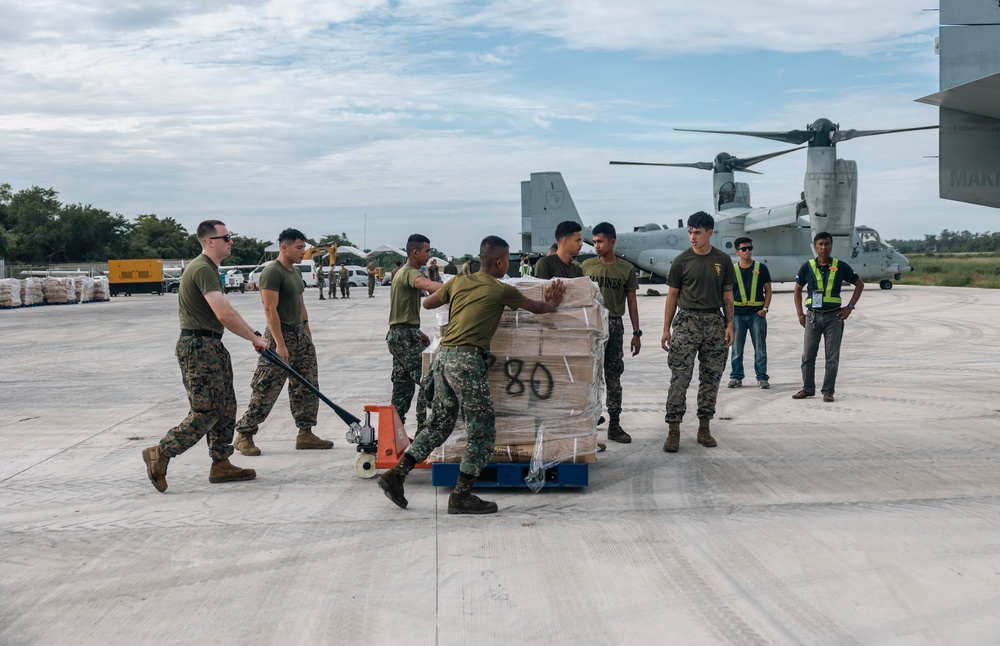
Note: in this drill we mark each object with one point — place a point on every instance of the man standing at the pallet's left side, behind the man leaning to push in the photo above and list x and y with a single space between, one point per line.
405 340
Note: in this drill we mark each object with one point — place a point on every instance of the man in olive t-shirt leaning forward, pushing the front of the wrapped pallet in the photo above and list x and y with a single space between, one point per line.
459 374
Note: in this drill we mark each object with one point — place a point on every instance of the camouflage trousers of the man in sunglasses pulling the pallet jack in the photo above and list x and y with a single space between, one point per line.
207 372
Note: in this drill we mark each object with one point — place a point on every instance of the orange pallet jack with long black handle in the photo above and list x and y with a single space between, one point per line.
380 450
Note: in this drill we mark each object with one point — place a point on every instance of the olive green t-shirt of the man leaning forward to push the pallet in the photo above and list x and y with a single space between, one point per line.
476 303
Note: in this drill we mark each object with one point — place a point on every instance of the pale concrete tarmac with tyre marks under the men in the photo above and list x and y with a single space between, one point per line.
871 520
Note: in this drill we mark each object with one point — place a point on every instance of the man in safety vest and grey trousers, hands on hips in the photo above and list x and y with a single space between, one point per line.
823 277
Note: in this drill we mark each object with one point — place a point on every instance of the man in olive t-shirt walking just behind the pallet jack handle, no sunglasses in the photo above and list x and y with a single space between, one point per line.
282 290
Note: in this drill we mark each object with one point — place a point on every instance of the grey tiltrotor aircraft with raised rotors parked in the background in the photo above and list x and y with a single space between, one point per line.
782 235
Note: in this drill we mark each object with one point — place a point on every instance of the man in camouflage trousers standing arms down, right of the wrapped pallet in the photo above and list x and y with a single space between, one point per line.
700 284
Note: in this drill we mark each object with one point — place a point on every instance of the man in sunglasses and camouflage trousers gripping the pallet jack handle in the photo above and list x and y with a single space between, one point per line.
205 365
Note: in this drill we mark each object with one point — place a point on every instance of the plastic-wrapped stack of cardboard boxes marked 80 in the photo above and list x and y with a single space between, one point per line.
546 381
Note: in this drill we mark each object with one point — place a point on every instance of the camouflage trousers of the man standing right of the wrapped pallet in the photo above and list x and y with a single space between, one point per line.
701 335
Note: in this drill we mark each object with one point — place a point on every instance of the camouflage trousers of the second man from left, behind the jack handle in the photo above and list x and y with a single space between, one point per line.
269 379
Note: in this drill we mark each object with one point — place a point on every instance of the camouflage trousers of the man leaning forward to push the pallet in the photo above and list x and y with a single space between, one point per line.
459 383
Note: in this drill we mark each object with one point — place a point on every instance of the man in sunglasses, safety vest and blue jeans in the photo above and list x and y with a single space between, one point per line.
752 294
